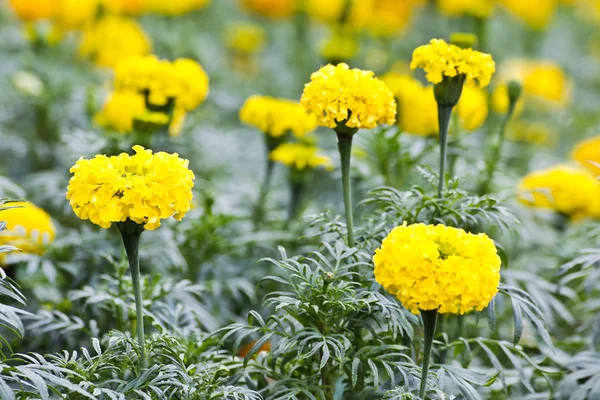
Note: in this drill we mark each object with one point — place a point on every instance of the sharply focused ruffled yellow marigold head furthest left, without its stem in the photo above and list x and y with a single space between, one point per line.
143 188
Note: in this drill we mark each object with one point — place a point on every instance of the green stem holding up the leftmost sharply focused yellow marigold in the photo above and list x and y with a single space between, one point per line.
131 242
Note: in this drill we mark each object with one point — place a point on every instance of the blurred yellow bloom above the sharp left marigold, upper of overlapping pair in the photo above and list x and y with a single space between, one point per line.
182 81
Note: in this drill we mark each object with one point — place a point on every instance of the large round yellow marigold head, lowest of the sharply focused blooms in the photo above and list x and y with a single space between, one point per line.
439 268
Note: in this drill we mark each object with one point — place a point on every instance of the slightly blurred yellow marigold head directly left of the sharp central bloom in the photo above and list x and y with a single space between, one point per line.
276 117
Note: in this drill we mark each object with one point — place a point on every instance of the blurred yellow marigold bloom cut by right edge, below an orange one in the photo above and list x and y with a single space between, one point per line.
572 191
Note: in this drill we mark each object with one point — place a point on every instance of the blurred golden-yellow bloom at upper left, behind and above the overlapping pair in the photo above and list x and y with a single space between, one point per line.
112 39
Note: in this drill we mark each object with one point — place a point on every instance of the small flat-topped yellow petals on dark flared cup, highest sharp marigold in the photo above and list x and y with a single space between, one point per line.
440 59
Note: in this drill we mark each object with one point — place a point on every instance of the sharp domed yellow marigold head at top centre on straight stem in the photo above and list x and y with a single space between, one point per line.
338 94
